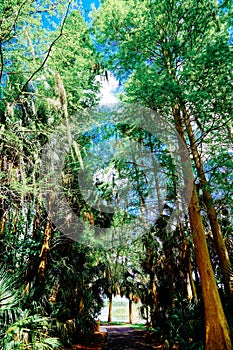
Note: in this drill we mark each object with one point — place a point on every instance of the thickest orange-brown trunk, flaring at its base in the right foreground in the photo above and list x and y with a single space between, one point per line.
216 327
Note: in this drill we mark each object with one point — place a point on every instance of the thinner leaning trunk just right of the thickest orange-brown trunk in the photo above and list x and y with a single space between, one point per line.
211 212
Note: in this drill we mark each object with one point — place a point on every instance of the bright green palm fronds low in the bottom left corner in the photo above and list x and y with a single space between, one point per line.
19 329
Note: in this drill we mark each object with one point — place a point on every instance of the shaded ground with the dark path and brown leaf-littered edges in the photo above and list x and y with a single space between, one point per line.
114 337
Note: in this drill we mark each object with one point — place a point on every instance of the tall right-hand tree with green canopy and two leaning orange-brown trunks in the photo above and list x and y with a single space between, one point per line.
158 45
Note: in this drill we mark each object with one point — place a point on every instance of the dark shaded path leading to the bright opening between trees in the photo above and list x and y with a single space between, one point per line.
124 337
